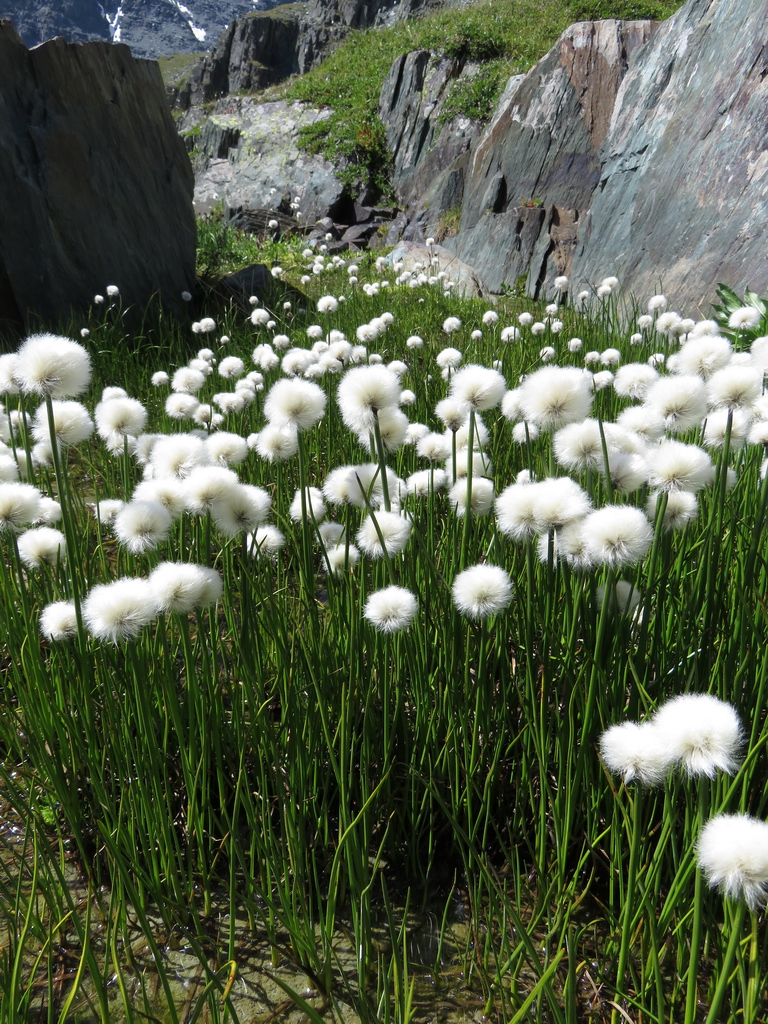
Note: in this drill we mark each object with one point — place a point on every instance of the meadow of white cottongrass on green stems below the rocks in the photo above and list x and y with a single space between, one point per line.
316 618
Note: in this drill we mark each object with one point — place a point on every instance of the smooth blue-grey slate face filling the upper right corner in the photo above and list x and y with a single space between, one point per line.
684 196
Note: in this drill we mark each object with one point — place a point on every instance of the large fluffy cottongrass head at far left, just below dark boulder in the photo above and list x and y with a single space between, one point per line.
53 367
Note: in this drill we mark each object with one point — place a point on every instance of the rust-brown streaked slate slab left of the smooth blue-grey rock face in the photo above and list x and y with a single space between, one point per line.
534 173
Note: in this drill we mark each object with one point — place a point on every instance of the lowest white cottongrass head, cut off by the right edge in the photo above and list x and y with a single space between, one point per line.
733 851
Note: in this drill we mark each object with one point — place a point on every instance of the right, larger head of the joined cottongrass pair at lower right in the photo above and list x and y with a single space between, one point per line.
703 734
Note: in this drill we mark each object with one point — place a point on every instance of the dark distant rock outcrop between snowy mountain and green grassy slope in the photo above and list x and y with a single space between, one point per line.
267 48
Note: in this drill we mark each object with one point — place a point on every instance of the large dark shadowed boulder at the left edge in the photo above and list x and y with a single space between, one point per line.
96 186
